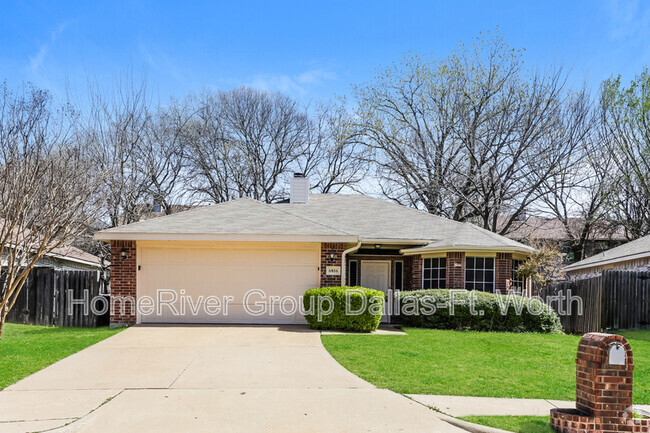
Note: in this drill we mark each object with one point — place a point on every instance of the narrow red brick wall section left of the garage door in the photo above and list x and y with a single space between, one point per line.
123 282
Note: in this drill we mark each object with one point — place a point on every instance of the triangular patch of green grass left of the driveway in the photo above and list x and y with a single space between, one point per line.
26 349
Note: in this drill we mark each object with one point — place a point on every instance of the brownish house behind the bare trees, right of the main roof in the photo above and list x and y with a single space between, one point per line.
601 238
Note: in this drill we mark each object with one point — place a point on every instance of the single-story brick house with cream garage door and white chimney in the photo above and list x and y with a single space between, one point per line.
284 249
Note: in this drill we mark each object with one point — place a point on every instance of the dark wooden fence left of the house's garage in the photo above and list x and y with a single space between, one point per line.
48 295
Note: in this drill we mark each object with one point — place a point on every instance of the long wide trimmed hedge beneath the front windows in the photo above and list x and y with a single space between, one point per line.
506 313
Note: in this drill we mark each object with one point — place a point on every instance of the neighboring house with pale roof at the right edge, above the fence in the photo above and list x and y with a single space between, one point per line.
632 256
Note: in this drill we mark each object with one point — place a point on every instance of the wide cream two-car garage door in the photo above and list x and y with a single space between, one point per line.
245 282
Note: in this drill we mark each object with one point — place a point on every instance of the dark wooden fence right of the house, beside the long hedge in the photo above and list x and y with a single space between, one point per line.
612 300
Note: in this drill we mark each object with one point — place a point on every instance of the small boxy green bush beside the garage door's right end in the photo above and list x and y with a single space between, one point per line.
321 314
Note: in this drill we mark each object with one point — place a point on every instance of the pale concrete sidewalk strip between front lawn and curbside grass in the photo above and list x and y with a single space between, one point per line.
465 406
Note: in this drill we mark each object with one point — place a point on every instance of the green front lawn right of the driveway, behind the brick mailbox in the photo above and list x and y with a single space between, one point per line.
428 361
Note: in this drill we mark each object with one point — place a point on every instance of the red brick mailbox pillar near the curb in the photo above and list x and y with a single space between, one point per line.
604 368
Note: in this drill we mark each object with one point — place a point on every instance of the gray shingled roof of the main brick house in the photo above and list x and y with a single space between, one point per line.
361 216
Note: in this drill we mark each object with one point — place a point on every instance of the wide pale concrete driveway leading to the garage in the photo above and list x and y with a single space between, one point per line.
206 379
